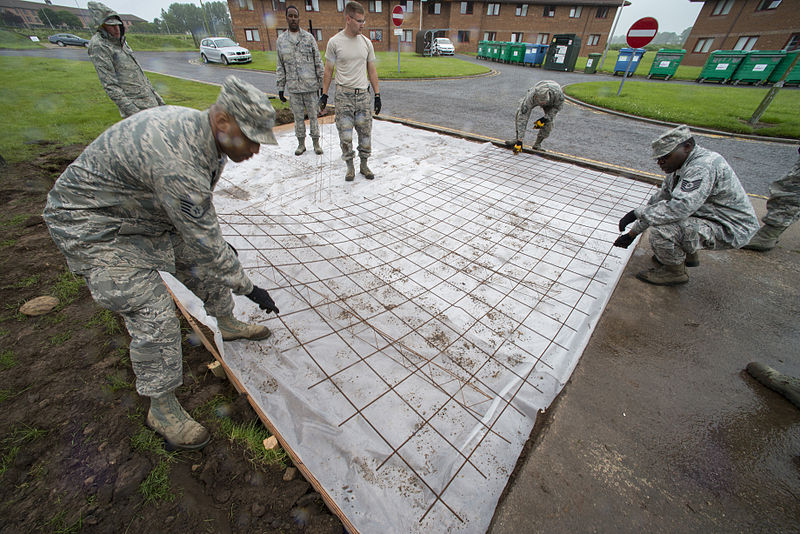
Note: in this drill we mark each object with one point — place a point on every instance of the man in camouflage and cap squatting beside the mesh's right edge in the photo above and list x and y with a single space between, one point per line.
701 205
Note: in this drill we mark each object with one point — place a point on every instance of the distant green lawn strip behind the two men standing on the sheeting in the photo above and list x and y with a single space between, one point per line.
411 65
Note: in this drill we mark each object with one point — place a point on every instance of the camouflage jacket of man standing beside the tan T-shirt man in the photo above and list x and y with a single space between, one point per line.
299 67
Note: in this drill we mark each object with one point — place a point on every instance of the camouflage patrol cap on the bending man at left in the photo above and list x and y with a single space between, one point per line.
251 109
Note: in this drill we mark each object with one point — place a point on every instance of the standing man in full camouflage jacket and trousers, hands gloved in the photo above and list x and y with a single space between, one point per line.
300 73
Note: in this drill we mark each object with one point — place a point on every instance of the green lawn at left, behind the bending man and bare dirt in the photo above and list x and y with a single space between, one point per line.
63 102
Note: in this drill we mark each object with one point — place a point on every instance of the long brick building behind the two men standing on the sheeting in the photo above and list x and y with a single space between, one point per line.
257 23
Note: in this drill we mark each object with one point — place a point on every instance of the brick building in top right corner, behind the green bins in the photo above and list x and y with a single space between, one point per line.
743 25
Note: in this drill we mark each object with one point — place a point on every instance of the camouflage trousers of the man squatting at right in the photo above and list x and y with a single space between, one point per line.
671 242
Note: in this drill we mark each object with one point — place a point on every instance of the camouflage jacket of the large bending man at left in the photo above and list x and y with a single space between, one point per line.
143 179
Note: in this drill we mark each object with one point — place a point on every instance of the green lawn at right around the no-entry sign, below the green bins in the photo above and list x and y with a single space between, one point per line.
722 108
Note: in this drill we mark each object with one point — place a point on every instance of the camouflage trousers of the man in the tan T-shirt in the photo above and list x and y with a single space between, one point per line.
354 110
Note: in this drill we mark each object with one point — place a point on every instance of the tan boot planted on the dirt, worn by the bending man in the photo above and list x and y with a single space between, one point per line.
168 418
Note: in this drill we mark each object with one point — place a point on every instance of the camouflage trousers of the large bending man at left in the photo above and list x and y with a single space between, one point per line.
141 298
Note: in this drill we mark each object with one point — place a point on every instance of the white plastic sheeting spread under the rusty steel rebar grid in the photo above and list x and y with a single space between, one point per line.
426 317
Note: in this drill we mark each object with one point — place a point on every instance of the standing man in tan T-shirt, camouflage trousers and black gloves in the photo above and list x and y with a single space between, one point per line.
354 58
